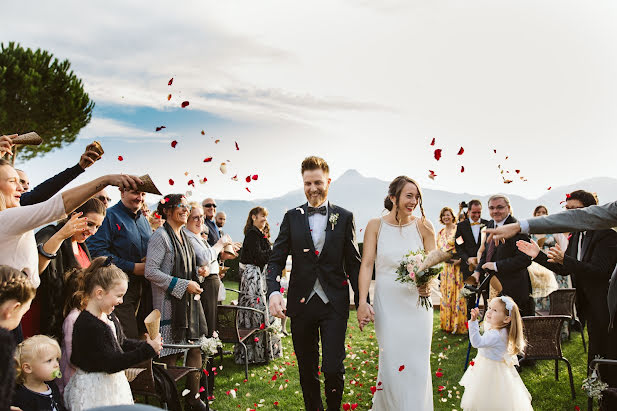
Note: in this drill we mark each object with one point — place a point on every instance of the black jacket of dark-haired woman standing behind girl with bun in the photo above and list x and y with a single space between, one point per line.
51 291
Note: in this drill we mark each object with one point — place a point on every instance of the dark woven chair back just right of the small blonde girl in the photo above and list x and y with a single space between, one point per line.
543 336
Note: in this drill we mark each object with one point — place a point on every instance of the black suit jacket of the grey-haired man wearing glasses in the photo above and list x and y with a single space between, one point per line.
512 268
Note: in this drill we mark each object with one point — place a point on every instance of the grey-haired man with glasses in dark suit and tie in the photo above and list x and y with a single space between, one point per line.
505 260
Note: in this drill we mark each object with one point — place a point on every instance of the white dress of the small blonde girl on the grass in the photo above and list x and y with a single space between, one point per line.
491 382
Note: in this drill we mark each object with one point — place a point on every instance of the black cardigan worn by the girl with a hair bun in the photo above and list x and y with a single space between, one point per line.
96 349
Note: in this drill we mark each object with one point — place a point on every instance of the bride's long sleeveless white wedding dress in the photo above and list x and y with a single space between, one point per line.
404 330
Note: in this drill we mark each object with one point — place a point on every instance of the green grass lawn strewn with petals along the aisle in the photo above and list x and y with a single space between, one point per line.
278 382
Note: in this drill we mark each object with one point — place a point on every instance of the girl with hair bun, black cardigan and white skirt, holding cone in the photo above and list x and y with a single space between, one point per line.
101 352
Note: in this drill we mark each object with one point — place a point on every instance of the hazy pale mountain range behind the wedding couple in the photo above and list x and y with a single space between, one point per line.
364 197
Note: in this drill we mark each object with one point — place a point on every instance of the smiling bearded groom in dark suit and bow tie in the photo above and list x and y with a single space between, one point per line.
321 239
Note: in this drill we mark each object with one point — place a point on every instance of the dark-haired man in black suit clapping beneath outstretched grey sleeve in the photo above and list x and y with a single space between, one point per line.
590 258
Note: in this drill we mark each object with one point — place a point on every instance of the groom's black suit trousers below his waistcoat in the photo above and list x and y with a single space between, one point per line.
320 318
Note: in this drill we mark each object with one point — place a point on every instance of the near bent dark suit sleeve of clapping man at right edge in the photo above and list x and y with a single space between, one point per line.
602 262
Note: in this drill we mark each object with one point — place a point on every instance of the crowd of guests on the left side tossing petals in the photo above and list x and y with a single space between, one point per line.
79 275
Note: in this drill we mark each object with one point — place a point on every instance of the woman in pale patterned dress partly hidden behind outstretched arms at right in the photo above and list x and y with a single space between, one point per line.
545 242
